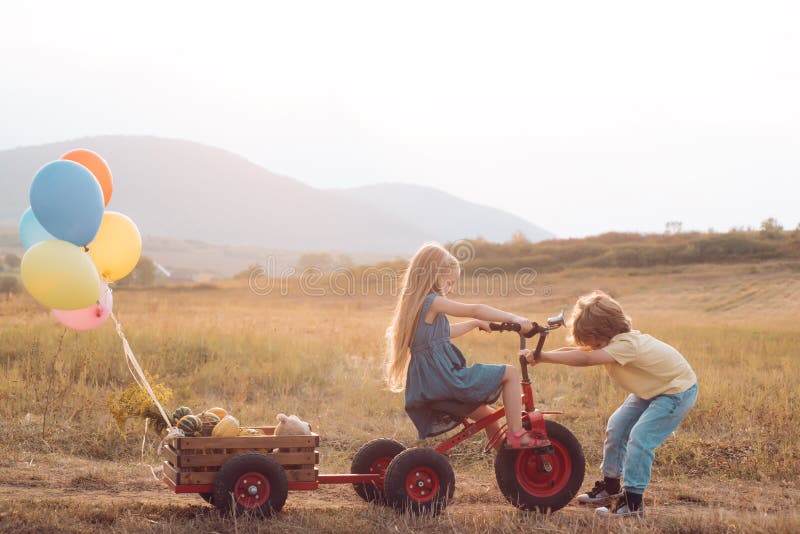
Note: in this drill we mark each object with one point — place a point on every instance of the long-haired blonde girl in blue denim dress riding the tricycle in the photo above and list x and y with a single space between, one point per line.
440 390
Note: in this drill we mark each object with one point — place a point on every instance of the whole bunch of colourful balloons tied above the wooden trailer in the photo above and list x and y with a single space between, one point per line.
74 246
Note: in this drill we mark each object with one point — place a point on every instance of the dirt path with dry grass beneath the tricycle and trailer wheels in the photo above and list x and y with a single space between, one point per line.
57 494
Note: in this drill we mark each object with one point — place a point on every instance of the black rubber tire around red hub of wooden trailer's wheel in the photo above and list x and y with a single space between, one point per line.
225 481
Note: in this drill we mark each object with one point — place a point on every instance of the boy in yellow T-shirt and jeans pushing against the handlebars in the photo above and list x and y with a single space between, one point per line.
663 389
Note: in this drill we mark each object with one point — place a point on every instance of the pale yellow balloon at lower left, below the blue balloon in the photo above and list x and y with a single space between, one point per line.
60 275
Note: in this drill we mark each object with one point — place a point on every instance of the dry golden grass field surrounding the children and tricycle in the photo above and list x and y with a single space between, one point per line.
731 467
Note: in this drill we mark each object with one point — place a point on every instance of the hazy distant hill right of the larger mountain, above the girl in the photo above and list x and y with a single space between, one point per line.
446 216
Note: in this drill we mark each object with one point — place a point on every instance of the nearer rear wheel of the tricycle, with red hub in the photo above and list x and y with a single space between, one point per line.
420 481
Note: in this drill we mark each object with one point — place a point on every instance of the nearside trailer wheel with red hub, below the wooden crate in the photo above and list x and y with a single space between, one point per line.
250 483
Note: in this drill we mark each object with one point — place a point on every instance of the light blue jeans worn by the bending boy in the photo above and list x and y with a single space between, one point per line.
636 429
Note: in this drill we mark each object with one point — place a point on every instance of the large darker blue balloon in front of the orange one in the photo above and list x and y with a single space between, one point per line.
67 201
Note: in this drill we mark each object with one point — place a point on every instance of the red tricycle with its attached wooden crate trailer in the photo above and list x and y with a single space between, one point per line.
253 474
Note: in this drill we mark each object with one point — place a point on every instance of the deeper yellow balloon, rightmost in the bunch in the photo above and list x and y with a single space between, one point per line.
116 248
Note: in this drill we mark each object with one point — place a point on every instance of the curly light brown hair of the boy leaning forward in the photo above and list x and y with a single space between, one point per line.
597 318
